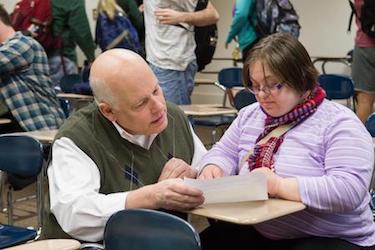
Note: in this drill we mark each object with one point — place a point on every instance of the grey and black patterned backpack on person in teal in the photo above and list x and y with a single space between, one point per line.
275 16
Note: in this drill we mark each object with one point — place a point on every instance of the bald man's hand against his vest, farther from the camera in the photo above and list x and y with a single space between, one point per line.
177 168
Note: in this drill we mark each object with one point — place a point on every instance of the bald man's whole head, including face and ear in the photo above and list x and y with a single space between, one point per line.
127 92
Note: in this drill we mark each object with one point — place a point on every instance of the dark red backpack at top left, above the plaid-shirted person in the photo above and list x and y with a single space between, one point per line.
34 18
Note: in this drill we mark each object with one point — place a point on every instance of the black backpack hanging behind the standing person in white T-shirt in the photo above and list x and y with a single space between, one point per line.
206 38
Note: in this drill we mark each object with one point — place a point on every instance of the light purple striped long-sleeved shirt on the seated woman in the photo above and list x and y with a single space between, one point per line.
332 156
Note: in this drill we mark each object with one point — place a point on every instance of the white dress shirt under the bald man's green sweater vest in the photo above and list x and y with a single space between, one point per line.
74 182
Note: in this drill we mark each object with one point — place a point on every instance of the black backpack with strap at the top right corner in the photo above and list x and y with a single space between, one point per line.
367 18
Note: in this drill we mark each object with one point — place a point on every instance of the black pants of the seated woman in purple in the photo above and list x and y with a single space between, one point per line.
221 235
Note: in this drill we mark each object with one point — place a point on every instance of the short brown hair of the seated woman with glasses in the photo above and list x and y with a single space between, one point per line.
286 58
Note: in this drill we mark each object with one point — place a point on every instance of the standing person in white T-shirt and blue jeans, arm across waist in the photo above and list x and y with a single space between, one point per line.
170 44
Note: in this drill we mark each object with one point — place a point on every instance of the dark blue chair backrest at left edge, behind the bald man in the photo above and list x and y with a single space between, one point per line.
21 155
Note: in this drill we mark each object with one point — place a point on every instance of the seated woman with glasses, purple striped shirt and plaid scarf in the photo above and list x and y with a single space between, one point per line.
311 150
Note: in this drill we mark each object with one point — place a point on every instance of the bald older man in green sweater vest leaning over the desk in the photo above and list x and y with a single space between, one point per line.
129 149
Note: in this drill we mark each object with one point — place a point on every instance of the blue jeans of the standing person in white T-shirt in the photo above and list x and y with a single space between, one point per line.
177 85
